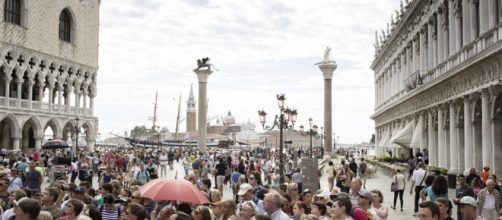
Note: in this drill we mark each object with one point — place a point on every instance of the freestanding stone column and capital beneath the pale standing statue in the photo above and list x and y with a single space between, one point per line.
327 70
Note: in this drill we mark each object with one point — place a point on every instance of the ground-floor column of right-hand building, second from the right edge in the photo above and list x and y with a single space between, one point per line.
468 140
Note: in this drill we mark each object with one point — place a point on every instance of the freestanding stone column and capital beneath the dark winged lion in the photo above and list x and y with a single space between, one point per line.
202 76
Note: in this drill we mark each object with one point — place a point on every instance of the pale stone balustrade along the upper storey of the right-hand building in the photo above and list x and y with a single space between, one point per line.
468 51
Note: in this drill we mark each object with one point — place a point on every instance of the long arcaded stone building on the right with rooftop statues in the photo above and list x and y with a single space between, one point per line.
438 72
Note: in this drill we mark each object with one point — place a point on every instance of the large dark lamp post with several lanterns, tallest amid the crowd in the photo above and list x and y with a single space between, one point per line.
282 121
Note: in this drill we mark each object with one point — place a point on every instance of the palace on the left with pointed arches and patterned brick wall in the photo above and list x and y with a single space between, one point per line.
48 71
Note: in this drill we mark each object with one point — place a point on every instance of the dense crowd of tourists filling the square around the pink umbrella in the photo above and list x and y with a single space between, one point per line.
105 184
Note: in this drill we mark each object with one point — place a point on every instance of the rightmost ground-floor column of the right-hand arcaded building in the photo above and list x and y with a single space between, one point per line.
486 140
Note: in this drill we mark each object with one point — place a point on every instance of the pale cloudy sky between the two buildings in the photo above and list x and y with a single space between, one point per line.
260 47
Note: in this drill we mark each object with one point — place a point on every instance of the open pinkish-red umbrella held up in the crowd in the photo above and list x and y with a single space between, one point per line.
173 189
